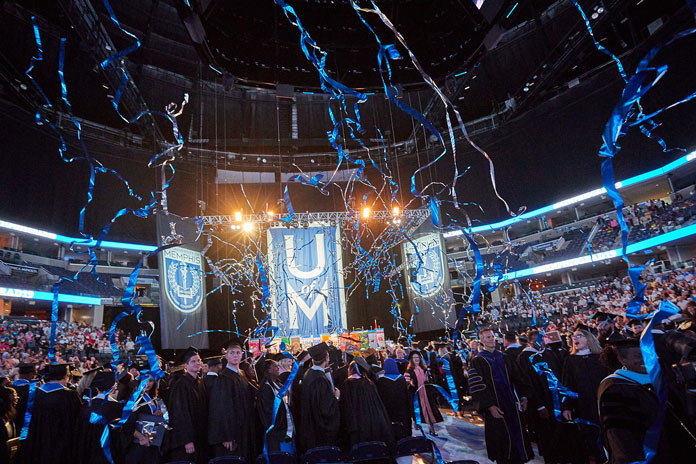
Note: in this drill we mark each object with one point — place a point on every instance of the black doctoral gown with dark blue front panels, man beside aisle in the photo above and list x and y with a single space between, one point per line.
492 378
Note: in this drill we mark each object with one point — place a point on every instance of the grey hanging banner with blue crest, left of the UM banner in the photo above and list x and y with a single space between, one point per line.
182 284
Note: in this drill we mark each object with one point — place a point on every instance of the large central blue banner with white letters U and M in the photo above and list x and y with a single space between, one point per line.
306 280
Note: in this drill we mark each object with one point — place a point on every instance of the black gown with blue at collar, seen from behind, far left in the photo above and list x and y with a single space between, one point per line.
52 437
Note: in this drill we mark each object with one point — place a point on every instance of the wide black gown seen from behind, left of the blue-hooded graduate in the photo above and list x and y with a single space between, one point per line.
363 415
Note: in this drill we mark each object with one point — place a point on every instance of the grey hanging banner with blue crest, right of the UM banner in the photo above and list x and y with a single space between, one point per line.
427 281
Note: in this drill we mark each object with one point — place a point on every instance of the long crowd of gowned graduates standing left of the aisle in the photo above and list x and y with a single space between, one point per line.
336 398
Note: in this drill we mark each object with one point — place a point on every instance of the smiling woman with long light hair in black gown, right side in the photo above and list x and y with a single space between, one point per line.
582 373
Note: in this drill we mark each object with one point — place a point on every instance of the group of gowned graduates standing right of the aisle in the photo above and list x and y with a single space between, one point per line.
582 402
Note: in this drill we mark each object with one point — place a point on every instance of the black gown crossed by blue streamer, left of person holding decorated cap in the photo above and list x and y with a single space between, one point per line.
89 435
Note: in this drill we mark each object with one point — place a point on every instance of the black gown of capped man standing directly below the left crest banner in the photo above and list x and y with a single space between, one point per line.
187 414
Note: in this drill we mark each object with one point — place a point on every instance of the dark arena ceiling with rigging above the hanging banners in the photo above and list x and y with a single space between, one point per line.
253 92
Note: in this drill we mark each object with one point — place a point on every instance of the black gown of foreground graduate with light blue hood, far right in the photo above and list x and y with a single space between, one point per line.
627 409
